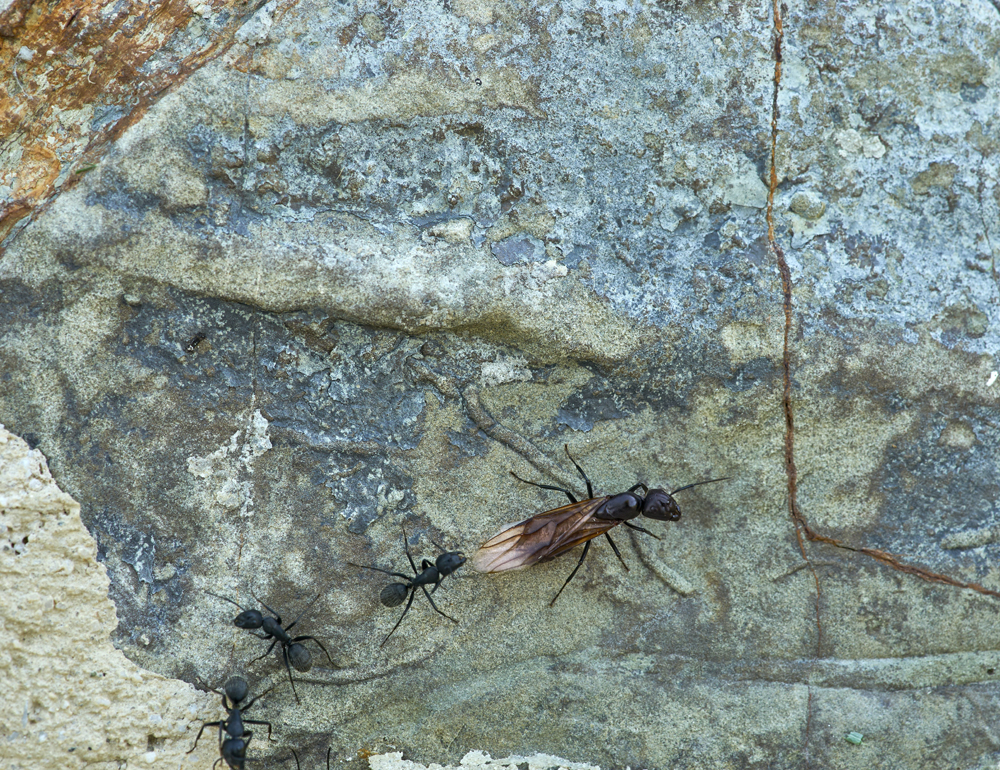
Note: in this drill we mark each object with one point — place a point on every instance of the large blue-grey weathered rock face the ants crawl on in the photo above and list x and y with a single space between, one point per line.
348 276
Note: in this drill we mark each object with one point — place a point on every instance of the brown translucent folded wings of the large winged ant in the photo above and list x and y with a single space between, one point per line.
541 537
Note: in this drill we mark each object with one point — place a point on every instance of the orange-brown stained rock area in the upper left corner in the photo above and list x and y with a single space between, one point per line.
94 58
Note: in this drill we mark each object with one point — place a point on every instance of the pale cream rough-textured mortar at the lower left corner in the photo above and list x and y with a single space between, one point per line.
73 700
